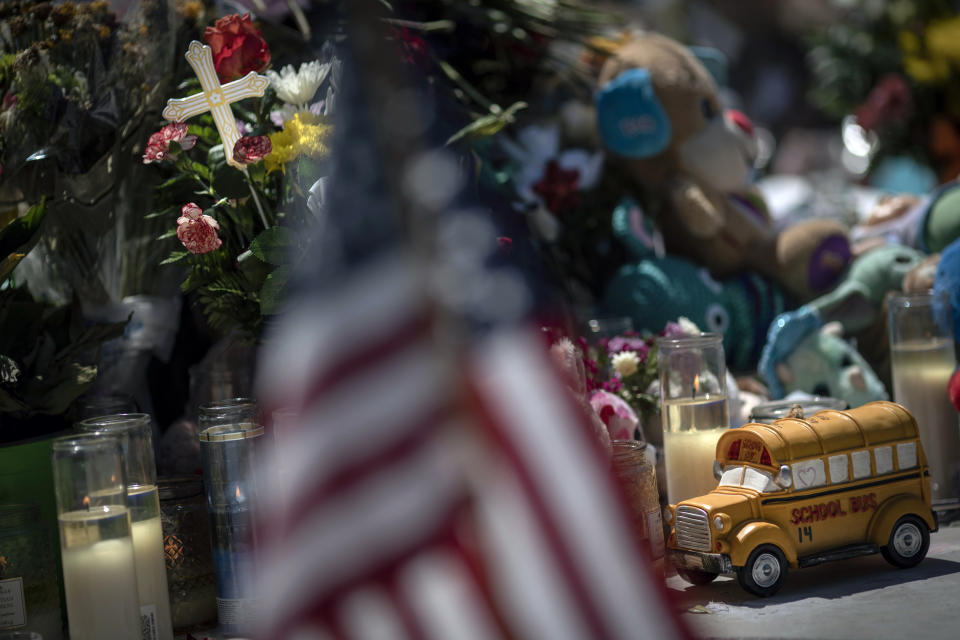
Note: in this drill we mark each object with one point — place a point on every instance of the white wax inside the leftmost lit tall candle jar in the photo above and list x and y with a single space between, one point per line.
98 575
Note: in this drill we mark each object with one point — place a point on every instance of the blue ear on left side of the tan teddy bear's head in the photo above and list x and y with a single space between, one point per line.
630 118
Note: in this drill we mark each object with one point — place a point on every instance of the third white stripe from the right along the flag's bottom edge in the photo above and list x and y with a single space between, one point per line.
445 598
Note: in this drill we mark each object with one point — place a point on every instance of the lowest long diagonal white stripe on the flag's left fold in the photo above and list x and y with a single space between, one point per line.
376 519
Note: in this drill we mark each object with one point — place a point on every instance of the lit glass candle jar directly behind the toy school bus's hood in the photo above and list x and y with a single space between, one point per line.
693 397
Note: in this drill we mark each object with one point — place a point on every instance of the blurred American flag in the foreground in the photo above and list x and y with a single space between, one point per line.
437 482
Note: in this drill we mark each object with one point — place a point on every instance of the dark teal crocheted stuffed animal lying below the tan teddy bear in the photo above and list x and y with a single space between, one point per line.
657 289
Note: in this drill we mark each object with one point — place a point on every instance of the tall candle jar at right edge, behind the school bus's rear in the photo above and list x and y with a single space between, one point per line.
921 362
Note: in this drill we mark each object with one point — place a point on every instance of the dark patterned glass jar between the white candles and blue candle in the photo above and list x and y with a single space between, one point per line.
189 557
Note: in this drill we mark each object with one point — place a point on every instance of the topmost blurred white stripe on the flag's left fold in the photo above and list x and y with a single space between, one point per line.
323 330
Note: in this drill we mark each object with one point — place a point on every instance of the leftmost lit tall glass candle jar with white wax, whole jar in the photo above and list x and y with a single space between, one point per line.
96 548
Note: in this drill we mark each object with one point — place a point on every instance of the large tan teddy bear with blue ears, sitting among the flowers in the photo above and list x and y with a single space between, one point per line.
659 114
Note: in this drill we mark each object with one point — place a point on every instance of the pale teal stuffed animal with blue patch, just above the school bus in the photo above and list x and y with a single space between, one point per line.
853 306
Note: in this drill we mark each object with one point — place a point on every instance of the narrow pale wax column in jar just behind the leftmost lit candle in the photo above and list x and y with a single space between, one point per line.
151 568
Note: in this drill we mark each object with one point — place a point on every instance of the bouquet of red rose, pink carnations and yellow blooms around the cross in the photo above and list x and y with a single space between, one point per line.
232 214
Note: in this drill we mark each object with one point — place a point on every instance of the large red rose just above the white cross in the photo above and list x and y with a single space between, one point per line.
238 48
